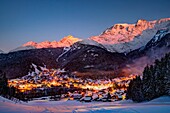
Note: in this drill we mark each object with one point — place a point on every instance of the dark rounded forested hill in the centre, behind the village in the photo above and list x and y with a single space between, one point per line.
91 58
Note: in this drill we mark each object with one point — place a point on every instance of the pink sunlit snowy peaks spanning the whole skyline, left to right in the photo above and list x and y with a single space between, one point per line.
121 38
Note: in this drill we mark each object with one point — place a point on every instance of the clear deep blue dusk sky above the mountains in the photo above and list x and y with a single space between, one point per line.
39 20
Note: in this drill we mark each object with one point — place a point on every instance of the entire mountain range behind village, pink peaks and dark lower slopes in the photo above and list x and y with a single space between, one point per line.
120 50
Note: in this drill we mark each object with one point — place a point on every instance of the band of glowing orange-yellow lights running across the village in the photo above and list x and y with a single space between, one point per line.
57 80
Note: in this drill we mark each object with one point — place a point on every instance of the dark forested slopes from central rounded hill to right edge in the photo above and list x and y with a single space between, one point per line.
91 57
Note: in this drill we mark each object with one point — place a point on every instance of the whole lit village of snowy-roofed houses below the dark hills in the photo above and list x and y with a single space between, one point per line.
56 84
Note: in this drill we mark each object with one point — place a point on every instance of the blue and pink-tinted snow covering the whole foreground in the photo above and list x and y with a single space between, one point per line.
159 105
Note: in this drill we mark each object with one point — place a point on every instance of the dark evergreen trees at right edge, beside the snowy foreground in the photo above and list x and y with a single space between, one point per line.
155 81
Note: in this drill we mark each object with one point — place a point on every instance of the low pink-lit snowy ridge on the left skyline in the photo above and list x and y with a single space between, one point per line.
65 42
